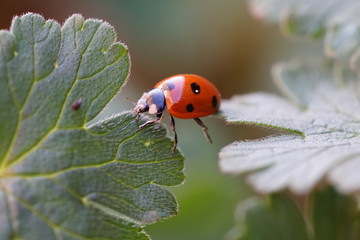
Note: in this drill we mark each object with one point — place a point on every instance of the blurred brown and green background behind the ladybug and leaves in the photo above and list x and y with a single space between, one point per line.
216 39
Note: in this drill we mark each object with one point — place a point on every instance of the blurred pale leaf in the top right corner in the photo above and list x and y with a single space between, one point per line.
335 20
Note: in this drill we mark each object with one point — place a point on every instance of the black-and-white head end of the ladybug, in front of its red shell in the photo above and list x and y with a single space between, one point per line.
152 102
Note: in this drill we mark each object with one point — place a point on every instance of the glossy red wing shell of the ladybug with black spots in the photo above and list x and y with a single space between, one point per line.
189 96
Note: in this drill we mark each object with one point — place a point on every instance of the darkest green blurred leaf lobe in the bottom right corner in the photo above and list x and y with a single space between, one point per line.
335 216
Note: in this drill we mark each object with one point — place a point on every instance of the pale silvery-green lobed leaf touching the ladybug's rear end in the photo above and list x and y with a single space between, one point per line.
322 125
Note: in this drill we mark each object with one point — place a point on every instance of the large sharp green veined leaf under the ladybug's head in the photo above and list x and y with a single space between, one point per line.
60 177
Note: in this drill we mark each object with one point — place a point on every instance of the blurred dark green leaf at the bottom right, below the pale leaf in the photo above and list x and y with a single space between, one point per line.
326 215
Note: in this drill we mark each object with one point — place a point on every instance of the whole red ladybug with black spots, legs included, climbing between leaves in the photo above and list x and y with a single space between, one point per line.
185 96
